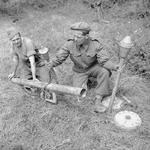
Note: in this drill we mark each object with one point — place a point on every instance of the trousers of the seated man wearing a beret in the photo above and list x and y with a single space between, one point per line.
102 75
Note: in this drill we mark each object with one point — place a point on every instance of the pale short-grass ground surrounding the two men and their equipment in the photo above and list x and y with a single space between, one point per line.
28 123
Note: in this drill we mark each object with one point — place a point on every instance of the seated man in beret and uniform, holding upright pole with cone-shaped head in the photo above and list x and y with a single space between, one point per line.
90 60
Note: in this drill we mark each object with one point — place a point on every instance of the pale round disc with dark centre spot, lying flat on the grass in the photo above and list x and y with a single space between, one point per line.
127 120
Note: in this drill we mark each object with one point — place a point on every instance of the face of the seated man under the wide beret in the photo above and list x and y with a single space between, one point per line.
79 38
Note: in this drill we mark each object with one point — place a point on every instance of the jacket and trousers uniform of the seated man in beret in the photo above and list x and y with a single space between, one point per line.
90 60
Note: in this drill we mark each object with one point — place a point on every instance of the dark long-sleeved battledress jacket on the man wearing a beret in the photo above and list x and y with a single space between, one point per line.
83 57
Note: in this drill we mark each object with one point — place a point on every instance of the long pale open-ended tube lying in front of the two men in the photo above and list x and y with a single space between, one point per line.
52 87
